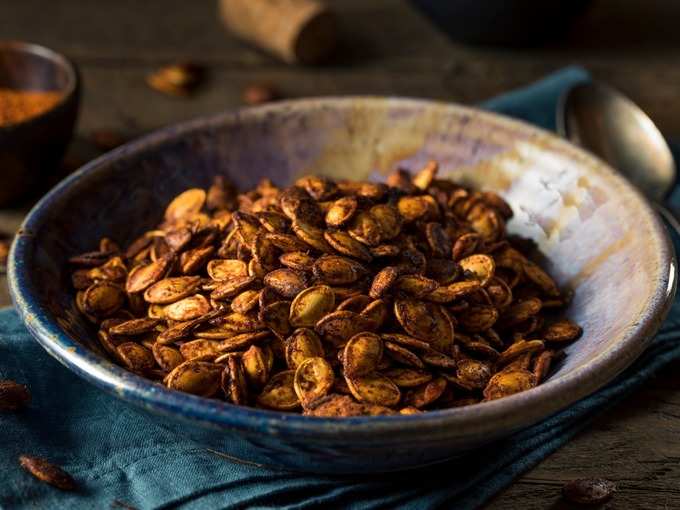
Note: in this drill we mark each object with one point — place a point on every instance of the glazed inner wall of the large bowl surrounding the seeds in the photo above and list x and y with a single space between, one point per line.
588 222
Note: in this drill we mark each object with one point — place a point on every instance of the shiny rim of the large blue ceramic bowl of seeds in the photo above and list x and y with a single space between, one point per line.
513 412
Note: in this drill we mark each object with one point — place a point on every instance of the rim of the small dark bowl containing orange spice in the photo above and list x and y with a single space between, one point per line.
58 60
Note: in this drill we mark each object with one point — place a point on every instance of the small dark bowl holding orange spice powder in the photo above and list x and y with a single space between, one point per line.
32 150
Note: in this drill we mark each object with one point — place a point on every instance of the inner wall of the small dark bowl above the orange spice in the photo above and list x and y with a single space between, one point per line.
27 66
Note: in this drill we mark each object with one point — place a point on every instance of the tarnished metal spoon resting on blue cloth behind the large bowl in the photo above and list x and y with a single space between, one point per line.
608 124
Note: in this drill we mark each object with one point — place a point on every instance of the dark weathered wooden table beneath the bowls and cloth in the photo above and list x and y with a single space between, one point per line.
389 49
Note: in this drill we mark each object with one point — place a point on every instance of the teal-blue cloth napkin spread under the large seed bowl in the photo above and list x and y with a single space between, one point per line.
119 457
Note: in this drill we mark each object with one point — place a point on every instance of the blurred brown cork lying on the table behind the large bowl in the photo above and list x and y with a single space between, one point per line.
297 31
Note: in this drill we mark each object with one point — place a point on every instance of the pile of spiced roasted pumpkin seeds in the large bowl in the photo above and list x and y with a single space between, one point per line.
331 298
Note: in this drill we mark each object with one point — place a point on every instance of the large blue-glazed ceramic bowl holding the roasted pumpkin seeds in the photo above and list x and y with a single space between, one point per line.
588 221
